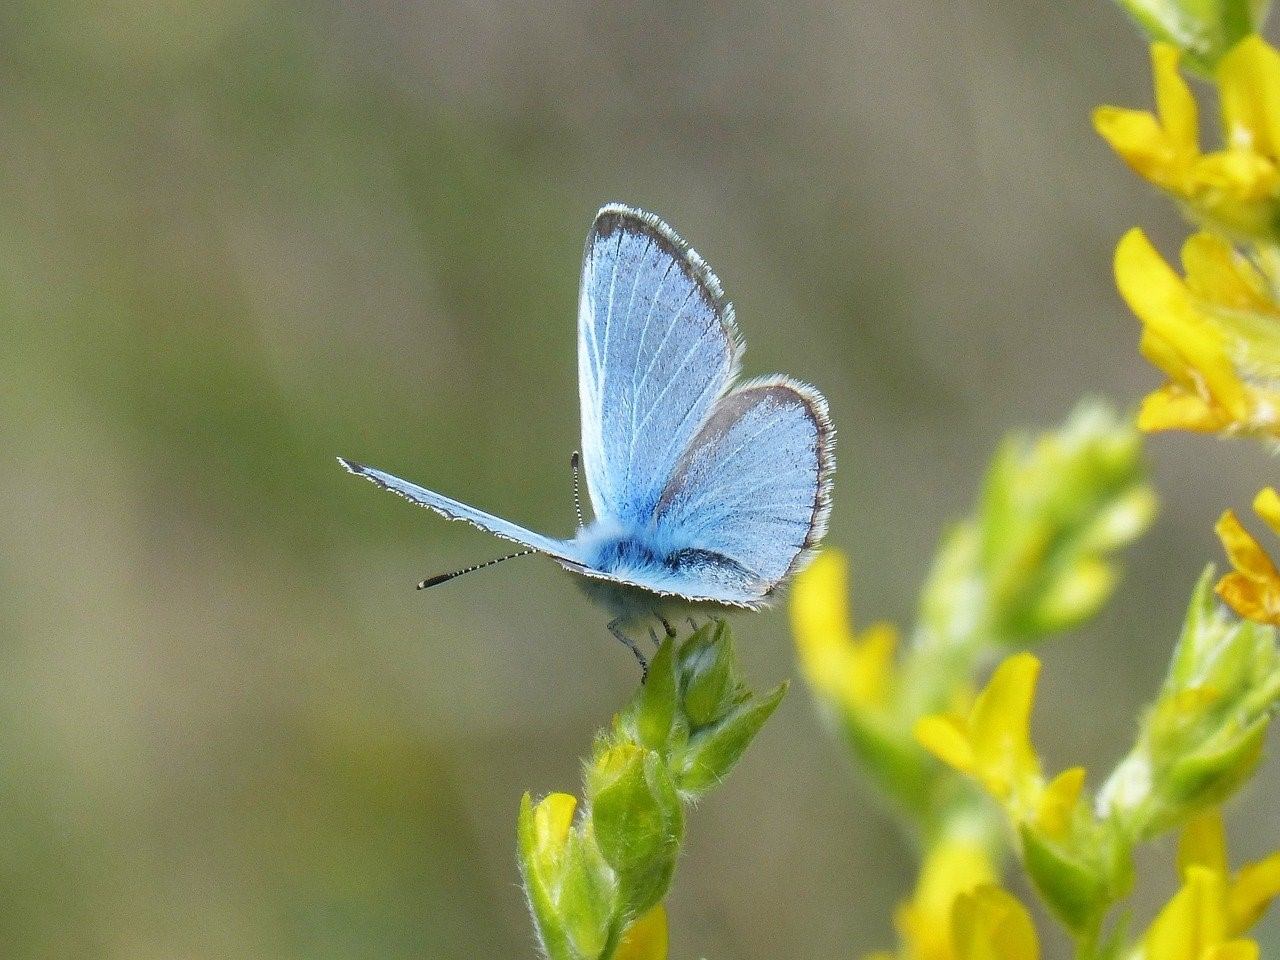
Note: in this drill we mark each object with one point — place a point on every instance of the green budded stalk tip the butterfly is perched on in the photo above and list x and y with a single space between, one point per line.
596 883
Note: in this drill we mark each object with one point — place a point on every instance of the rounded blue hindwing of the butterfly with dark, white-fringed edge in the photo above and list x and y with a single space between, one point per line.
751 495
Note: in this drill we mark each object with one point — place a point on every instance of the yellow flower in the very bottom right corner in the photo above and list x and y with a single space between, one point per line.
1210 912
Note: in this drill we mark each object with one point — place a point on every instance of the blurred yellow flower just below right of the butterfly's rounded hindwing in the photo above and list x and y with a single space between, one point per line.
856 670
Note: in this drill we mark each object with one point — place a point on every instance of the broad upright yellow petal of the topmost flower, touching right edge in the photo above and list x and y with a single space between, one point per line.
1250 83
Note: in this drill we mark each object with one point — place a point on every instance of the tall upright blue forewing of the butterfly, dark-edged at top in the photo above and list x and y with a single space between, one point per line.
657 349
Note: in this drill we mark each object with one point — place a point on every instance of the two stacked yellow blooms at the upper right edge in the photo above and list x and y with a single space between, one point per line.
1217 332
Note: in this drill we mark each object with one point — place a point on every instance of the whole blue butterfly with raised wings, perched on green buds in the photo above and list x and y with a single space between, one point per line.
705 492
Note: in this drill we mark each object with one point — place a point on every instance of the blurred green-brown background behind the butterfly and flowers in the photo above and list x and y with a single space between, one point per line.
241 237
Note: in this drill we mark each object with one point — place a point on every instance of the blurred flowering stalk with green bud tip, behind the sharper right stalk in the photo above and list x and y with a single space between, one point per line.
1035 560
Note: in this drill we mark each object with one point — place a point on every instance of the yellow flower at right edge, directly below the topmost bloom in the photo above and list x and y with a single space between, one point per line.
1217 335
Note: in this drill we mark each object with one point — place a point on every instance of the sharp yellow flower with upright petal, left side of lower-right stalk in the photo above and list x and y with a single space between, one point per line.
993 742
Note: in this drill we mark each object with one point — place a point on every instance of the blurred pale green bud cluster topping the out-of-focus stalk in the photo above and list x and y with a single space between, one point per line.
1036 559
